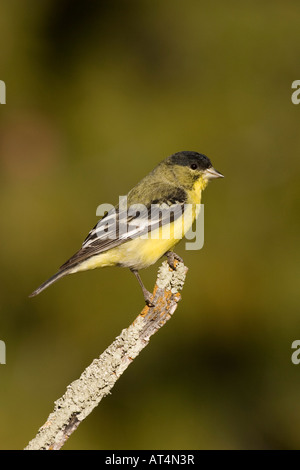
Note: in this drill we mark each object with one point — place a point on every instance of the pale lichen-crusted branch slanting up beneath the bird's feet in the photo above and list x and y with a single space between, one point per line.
85 393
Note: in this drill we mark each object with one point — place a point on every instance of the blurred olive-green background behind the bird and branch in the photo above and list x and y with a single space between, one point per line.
97 94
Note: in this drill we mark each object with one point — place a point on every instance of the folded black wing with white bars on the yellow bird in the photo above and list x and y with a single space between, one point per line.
119 226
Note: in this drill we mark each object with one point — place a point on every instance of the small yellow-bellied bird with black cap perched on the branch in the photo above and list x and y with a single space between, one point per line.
170 195
